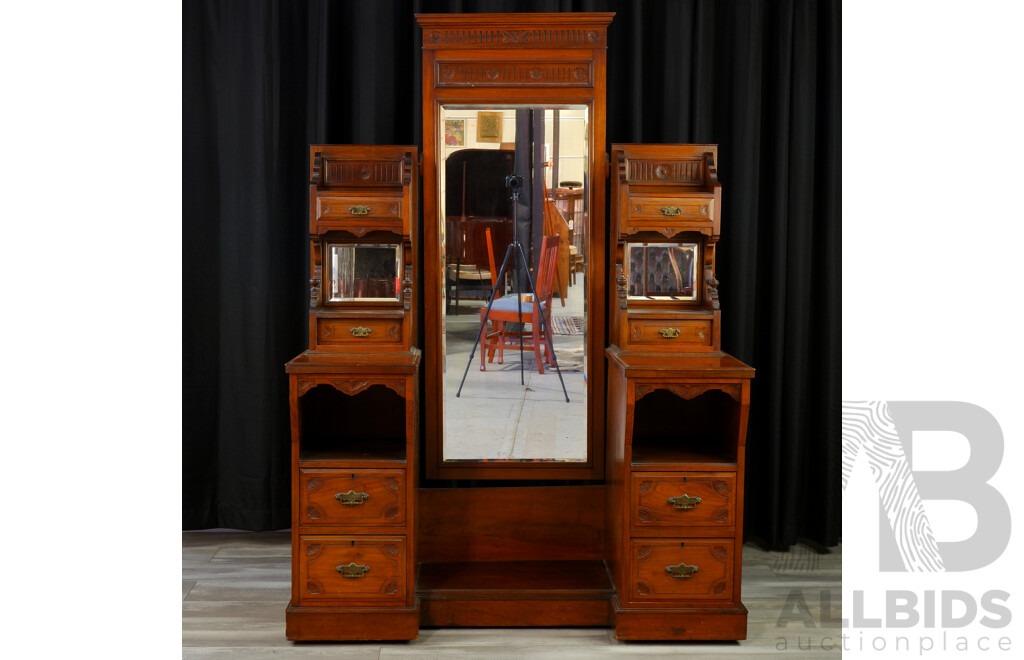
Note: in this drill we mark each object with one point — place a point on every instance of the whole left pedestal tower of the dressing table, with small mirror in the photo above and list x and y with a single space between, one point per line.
354 400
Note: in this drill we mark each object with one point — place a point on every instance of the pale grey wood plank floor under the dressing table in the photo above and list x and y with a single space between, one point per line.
236 586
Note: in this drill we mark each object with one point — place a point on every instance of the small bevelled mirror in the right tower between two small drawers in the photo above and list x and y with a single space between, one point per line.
662 271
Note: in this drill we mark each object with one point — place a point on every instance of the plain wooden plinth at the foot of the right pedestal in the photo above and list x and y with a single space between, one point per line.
692 624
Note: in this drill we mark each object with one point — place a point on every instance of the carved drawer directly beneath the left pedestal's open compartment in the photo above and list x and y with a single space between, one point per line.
353 497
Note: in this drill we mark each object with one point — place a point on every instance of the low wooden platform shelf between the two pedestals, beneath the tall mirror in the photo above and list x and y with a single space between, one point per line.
515 594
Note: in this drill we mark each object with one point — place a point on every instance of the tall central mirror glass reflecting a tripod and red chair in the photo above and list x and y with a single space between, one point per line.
514 202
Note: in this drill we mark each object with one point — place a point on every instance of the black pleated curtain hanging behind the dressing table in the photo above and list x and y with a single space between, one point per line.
264 79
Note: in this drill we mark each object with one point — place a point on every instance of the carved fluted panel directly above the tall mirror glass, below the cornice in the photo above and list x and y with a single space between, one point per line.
504 73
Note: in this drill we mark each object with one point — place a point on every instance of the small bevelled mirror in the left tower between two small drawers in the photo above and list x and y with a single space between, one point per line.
365 273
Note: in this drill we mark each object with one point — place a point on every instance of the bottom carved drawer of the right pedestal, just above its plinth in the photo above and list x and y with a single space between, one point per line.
663 569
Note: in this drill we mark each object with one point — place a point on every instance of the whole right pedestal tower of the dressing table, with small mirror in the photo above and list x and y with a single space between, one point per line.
677 406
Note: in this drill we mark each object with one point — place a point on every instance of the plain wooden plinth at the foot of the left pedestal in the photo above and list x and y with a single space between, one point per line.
352 625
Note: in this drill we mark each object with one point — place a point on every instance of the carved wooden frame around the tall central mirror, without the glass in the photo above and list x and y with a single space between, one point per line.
501 61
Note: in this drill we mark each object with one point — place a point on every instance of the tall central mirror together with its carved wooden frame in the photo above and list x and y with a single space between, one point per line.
515 166
